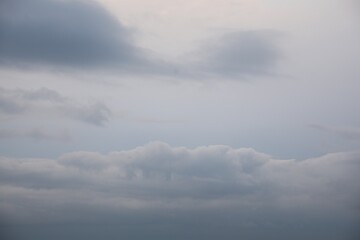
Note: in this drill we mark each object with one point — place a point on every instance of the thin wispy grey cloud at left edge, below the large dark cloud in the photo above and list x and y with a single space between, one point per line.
18 102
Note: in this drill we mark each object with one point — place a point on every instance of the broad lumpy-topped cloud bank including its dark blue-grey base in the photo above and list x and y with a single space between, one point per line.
203 190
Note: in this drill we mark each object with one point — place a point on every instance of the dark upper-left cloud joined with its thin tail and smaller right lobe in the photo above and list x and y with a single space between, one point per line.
83 35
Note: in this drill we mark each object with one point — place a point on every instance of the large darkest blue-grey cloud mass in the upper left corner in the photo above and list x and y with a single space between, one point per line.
65 33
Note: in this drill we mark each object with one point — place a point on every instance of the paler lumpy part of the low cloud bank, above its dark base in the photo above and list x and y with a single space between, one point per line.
160 176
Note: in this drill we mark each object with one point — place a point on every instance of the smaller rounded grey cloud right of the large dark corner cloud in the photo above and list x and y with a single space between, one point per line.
238 54
